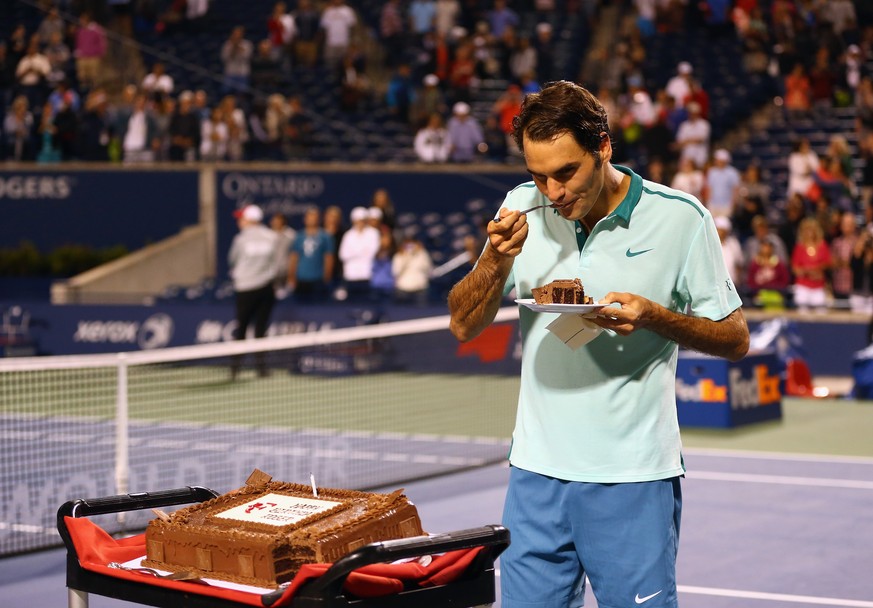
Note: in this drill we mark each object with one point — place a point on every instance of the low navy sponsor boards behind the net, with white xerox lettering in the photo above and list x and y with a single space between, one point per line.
64 330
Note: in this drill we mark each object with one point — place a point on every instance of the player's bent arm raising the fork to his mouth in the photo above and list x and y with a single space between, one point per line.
475 300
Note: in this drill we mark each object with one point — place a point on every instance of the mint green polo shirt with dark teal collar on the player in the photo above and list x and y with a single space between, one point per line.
607 412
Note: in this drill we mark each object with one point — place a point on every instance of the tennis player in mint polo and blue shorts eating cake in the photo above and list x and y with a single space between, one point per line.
596 454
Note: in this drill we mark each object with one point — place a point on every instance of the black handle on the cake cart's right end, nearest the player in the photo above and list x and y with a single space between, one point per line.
494 536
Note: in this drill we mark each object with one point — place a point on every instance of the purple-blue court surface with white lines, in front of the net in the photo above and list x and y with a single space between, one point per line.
760 529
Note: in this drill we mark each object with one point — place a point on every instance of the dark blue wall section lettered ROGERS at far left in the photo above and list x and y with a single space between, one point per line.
97 208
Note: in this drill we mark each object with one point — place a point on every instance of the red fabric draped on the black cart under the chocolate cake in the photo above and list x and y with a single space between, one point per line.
95 549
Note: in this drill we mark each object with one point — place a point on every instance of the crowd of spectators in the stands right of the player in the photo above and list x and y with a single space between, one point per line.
809 246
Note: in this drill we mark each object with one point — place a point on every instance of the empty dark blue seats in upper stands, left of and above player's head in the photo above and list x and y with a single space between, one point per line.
369 134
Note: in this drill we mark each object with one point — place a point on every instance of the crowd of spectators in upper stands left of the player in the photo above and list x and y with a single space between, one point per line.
435 54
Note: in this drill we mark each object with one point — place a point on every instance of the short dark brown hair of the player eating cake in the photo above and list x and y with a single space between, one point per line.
561 107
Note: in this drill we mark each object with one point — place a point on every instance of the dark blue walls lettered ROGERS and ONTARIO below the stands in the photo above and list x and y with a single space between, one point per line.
131 207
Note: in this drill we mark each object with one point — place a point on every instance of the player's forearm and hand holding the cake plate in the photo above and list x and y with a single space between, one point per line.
728 337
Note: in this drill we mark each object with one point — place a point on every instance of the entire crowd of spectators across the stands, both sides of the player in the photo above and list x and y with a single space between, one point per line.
56 106
